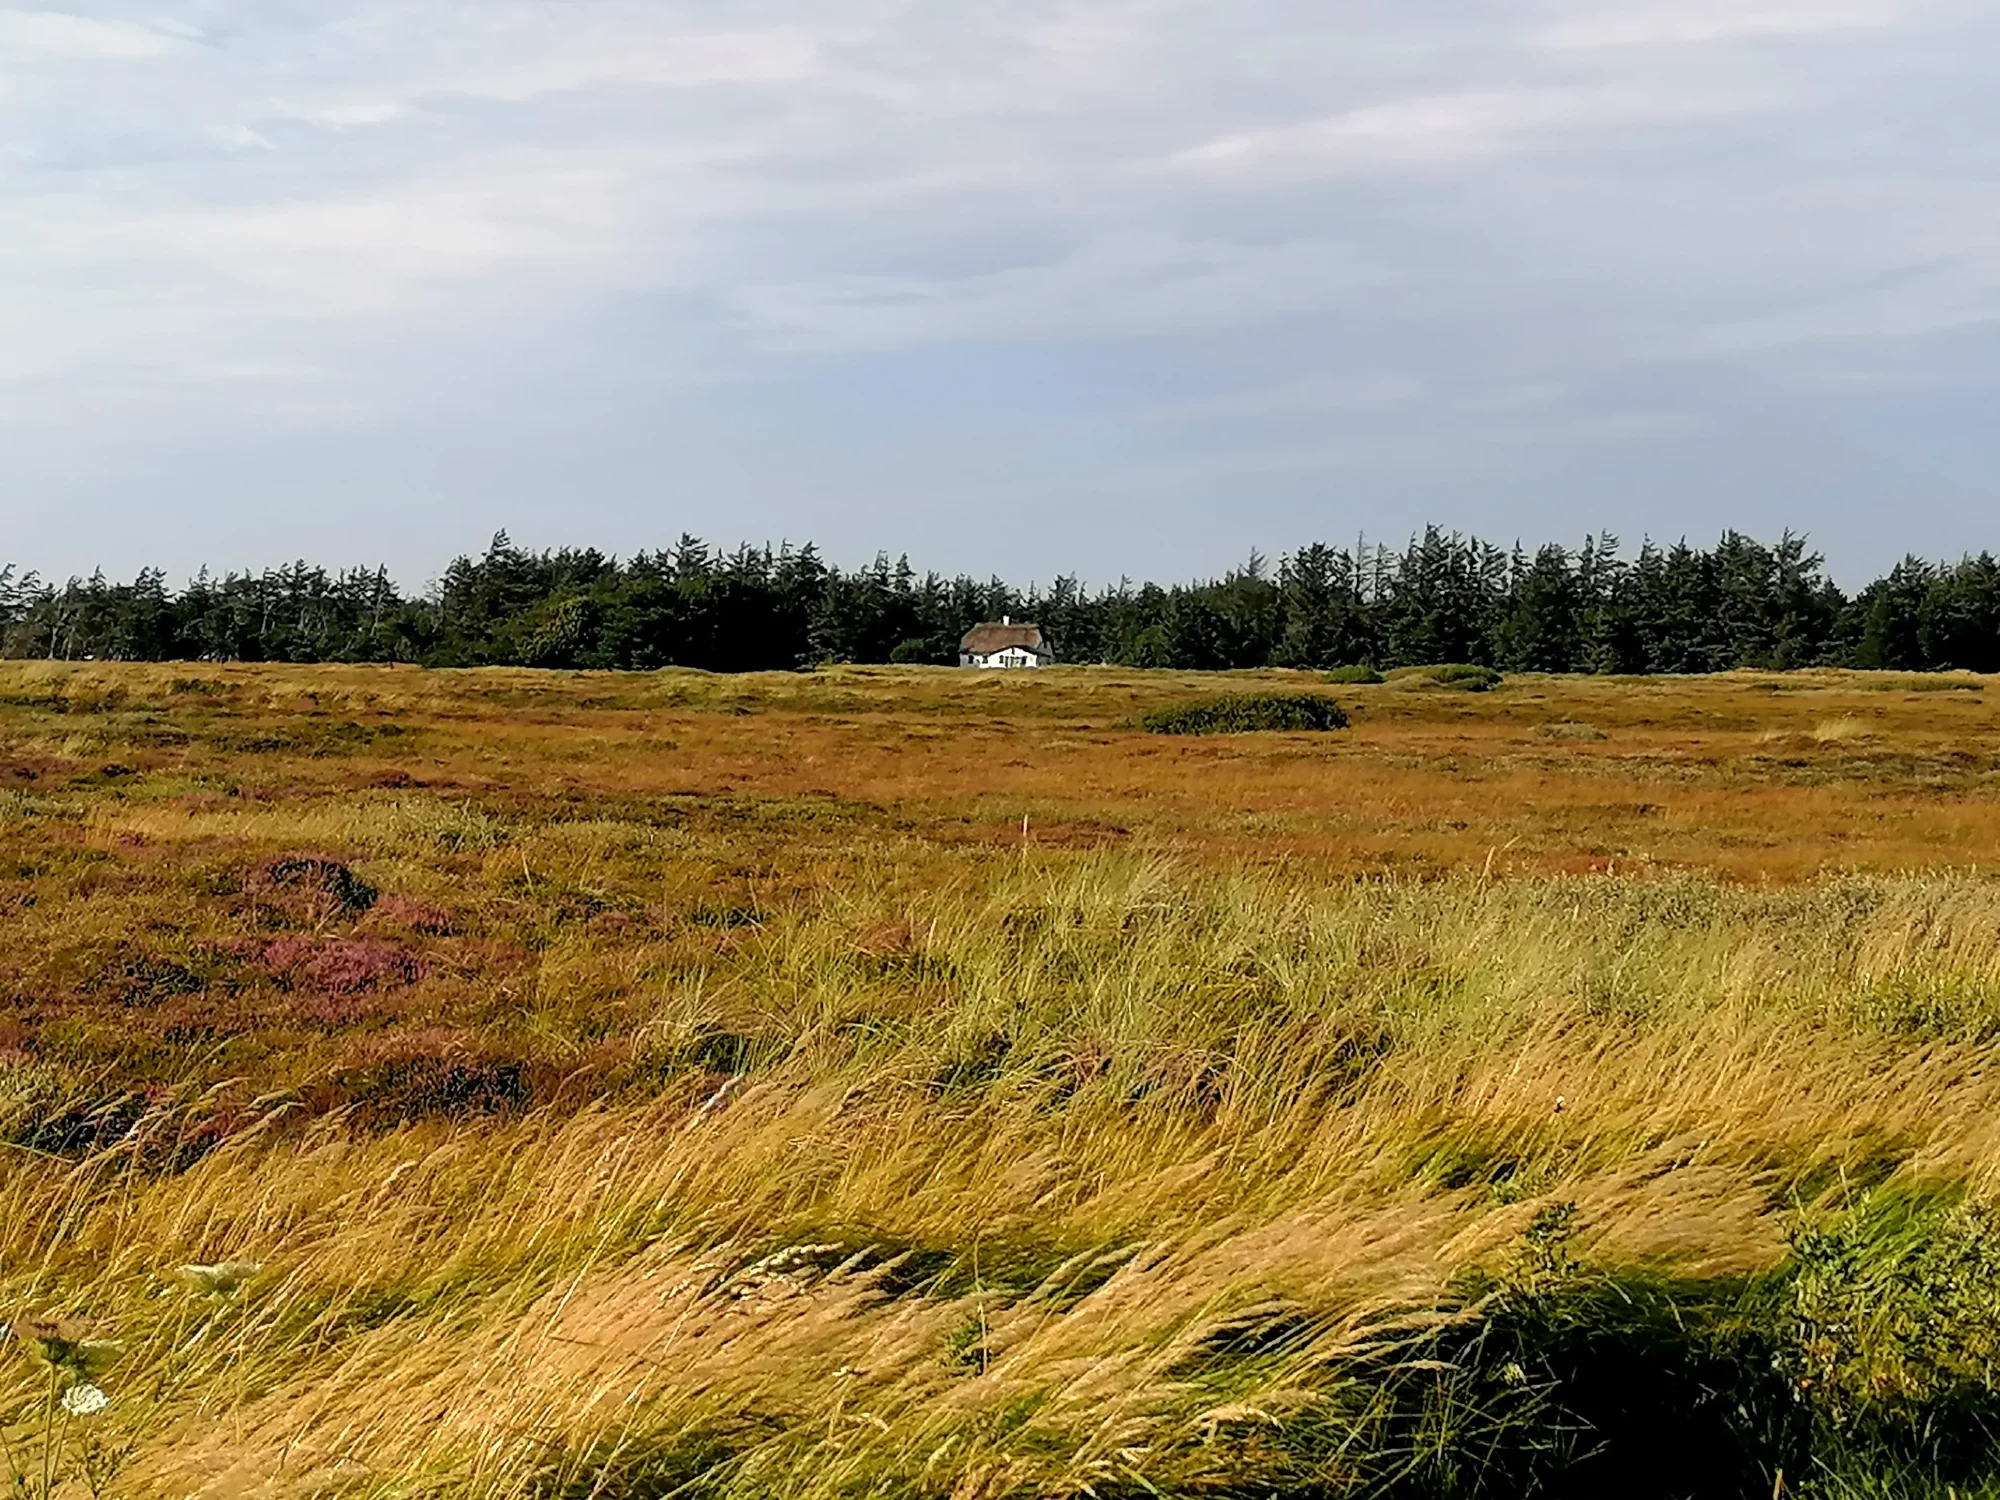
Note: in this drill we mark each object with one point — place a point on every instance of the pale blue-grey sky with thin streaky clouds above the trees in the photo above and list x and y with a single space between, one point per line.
1021 287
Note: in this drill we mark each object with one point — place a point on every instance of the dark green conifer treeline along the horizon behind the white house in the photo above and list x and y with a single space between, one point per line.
1441 599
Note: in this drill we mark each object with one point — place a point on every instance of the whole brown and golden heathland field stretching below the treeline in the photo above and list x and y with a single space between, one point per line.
905 1083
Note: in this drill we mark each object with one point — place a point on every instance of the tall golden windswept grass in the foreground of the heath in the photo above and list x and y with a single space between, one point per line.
983 1203
